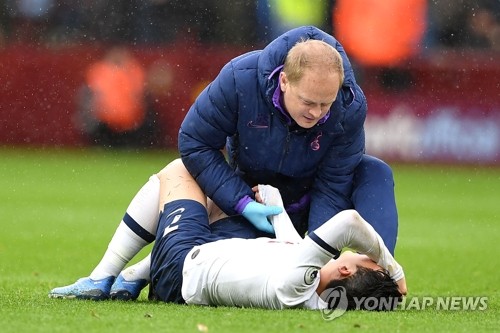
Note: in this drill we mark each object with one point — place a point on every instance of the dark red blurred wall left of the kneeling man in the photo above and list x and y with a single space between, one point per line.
38 91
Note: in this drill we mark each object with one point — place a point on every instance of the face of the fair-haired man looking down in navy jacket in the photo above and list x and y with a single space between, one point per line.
309 99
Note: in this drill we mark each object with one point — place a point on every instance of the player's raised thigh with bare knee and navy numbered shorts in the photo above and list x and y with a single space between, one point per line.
183 224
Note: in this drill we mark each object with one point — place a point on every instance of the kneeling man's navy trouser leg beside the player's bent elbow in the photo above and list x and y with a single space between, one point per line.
373 197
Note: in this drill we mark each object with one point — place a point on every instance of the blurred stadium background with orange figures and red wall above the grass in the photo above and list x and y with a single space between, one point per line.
77 73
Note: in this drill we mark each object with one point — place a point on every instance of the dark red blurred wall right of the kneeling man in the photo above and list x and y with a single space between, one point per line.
467 80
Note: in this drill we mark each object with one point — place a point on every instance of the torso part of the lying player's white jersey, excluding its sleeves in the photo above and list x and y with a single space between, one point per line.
261 272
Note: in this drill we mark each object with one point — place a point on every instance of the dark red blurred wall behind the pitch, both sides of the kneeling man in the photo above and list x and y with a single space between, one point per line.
39 85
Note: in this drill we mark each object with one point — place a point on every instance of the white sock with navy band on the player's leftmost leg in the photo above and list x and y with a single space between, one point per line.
142 215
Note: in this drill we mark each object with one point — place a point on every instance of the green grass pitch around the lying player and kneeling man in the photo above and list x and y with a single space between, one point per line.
59 209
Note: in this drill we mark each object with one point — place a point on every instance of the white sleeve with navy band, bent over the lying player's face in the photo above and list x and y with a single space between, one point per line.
296 284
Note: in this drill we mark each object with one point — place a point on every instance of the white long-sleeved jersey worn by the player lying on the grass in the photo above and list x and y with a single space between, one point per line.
277 273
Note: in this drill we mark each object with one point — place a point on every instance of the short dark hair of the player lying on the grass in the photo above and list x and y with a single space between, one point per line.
369 289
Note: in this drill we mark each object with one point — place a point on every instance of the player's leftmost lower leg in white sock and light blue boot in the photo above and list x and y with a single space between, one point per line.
136 230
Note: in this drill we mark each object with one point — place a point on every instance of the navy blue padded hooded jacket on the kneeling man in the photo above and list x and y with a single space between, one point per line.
263 146
